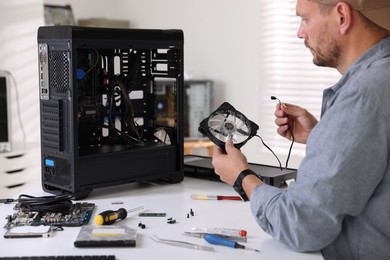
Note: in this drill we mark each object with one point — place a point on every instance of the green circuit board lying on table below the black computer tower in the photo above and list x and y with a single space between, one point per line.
79 215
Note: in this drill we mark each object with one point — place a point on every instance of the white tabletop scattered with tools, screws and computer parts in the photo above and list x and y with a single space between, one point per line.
173 199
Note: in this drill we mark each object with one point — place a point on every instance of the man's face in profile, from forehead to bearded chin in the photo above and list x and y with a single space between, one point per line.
317 34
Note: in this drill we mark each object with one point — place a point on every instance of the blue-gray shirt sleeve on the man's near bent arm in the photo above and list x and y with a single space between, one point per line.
346 158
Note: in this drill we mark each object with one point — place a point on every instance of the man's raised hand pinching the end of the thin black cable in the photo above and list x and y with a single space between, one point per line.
295 120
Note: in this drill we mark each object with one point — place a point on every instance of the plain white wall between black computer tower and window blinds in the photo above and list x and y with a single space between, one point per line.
220 37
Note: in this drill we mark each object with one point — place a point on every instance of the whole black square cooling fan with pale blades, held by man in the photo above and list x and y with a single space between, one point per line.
228 123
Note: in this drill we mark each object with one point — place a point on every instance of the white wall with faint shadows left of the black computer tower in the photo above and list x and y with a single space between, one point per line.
19 20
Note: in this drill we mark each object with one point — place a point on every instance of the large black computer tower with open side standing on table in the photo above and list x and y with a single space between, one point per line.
99 120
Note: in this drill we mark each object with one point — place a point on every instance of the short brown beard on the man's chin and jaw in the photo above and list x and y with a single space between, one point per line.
327 53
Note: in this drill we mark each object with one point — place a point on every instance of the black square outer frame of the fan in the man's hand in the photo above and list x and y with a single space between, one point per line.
226 107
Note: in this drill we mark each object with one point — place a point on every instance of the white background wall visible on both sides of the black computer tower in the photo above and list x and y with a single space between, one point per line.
220 44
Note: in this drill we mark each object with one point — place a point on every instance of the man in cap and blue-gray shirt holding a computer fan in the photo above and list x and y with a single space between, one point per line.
340 201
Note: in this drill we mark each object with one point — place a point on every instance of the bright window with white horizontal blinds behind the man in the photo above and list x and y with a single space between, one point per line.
287 72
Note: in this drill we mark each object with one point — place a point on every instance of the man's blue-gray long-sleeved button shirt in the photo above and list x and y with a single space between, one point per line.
340 201
